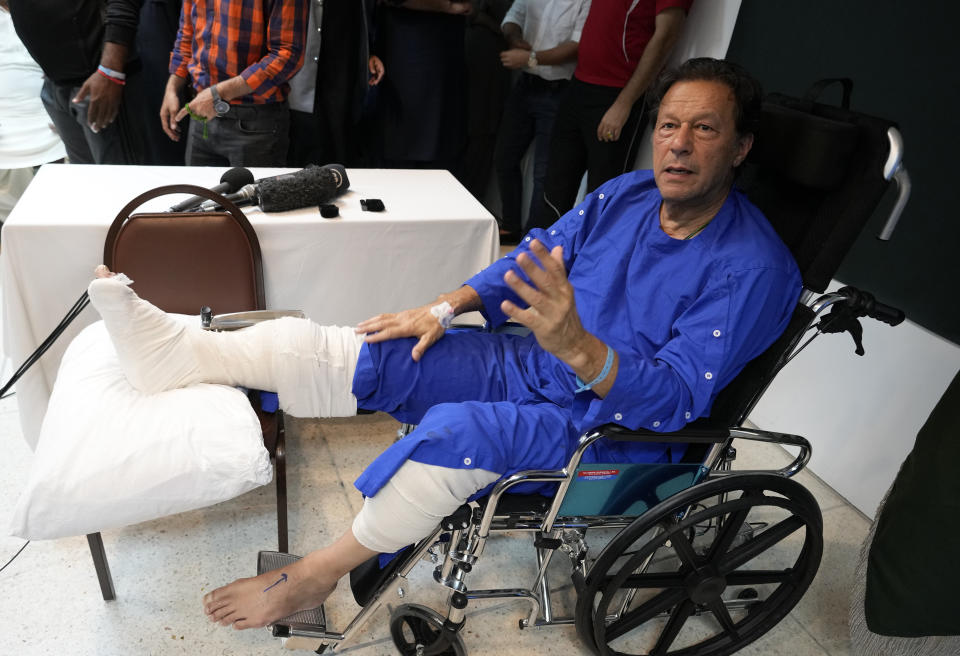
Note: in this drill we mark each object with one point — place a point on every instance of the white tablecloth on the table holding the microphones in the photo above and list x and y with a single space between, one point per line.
432 236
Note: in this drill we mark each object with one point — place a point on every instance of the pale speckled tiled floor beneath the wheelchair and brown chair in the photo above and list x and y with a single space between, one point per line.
50 601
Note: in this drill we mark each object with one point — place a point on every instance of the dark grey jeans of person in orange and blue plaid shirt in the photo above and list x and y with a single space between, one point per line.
249 135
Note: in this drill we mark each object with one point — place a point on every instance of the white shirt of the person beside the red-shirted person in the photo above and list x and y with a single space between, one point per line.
546 24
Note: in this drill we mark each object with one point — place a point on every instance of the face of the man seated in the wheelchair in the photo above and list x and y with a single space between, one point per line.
695 143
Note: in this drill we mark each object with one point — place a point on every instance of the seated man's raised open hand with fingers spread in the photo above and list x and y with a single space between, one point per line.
552 312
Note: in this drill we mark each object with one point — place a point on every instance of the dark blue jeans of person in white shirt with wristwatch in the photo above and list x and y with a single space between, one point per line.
528 116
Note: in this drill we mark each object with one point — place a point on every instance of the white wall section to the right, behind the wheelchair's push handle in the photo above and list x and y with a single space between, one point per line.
861 414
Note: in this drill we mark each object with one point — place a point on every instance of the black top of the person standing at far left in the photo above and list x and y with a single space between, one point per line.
65 37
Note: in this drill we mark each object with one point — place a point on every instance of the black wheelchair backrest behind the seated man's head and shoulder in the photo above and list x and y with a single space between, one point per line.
817 173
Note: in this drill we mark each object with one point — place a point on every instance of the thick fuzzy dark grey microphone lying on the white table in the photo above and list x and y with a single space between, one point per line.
289 191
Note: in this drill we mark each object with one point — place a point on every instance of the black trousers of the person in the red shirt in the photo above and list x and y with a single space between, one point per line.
574 147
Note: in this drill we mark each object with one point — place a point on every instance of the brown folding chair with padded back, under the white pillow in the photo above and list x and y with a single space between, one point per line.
182 262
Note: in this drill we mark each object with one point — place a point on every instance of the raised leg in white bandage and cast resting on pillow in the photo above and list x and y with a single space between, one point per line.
310 367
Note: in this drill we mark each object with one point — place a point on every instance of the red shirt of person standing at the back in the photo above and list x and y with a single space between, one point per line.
615 36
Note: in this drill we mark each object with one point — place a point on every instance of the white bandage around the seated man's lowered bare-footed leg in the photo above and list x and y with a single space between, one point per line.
413 502
